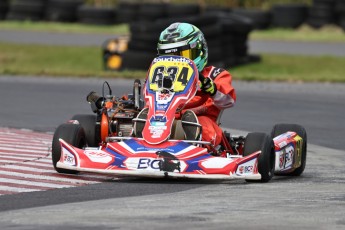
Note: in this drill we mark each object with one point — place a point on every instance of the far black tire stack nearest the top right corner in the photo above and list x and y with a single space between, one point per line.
321 13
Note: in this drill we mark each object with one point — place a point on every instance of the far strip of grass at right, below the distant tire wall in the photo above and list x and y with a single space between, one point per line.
303 33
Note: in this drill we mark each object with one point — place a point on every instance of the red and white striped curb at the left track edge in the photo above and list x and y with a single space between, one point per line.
28 167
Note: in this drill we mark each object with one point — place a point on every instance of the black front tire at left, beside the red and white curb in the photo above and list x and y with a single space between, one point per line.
71 133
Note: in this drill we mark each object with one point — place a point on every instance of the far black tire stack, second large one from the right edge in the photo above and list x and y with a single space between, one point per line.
289 15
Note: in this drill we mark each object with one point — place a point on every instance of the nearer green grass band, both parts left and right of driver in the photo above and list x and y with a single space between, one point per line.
43 60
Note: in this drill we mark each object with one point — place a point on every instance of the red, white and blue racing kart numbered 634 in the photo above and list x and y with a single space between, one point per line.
105 143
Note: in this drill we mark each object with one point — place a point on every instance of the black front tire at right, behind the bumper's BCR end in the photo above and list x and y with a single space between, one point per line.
261 141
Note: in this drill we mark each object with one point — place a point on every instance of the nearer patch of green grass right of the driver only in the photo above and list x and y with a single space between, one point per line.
293 68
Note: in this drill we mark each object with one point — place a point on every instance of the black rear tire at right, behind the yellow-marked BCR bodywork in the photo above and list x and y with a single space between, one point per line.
283 128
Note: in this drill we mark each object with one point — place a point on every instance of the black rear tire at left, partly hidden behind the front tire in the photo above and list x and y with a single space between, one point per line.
91 129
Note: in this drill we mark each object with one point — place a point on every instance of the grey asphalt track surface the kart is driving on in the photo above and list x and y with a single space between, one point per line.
313 201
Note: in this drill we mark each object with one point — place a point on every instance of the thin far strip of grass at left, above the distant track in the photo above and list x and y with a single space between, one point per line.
121 29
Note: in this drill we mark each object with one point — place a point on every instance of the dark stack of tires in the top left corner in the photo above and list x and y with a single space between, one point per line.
26 10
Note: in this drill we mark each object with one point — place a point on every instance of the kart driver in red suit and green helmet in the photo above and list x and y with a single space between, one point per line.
198 120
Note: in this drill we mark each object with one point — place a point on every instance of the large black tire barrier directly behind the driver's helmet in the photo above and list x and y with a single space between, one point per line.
226 34
